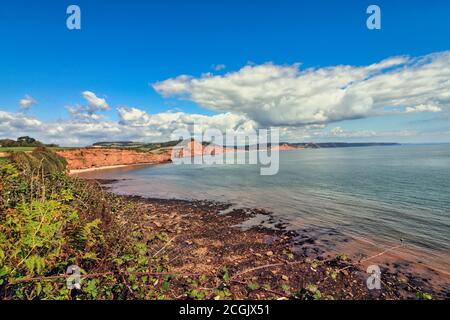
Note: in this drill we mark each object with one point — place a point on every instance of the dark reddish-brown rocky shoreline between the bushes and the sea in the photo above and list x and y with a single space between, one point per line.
260 262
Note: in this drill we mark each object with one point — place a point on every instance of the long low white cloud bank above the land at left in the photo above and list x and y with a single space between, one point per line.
134 124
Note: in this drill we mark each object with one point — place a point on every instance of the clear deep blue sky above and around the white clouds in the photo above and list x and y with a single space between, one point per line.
125 46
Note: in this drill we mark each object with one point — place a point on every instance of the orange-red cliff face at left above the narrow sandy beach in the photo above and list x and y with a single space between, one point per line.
90 158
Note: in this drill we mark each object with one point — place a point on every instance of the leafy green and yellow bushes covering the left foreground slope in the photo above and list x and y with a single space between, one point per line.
49 221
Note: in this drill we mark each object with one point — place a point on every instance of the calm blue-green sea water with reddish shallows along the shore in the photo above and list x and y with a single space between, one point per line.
376 194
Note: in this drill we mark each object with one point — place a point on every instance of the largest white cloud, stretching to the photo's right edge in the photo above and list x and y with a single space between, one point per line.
284 95
